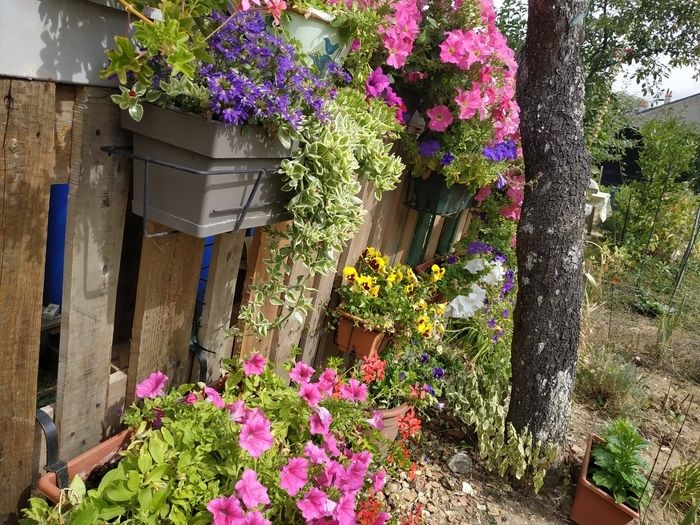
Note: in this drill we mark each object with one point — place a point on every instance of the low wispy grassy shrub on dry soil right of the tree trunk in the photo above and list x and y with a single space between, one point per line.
609 383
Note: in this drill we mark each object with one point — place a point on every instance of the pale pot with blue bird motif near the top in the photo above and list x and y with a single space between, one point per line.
318 38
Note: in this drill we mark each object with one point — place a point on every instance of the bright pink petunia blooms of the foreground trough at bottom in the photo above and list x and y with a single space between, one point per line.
326 480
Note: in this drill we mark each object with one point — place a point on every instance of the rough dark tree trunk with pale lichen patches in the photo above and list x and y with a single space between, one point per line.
550 91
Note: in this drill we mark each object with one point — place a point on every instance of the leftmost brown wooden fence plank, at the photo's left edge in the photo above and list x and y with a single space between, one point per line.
27 112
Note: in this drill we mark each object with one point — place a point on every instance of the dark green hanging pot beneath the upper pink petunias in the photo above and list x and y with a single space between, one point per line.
432 195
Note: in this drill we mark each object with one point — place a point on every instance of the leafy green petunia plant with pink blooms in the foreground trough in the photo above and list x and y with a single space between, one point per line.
188 449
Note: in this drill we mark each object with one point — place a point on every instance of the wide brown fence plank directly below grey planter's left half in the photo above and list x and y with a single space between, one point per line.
165 299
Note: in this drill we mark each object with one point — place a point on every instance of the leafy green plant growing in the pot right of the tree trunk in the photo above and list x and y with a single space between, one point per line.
617 465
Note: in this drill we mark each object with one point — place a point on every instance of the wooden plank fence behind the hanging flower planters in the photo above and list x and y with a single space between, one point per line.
128 301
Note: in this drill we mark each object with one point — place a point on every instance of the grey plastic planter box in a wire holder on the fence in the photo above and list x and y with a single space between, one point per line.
204 205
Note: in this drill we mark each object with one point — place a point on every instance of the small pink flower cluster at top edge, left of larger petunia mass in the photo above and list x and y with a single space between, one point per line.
399 31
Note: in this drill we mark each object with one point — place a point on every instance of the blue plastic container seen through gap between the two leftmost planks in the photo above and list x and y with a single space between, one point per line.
55 244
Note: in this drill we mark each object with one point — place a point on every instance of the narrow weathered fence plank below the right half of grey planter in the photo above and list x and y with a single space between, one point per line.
218 299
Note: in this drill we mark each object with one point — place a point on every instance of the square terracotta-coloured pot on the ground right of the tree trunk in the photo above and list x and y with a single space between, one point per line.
592 505
